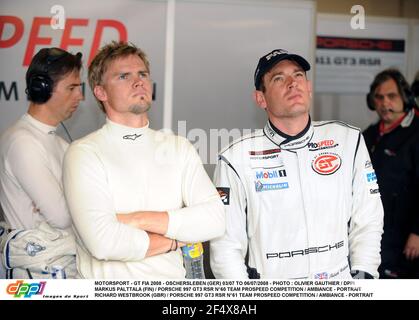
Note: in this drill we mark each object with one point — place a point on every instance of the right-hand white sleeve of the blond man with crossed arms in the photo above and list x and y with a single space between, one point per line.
203 217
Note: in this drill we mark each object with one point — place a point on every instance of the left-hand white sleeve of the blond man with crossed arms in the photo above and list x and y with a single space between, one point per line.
94 216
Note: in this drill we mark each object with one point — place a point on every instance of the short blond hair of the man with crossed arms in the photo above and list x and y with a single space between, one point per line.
106 55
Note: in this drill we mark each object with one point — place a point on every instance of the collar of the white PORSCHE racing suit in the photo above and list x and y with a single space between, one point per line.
287 142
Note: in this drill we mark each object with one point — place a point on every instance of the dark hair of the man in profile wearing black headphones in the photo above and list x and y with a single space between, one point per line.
53 63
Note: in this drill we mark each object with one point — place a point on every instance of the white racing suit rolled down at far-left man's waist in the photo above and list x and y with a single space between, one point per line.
40 253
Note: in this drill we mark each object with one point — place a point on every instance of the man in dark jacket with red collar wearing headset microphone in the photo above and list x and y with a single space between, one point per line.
393 143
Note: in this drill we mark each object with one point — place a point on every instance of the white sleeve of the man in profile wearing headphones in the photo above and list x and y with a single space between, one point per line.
29 164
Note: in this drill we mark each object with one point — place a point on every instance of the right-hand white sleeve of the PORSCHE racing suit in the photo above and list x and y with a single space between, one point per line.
366 224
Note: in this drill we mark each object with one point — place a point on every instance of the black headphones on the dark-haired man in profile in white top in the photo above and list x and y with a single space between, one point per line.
40 84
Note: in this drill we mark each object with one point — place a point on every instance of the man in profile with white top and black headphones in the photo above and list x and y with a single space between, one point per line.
31 156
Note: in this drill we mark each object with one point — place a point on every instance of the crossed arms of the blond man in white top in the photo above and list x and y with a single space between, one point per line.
111 235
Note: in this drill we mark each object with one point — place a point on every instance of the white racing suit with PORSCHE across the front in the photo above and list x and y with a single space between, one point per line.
301 207
